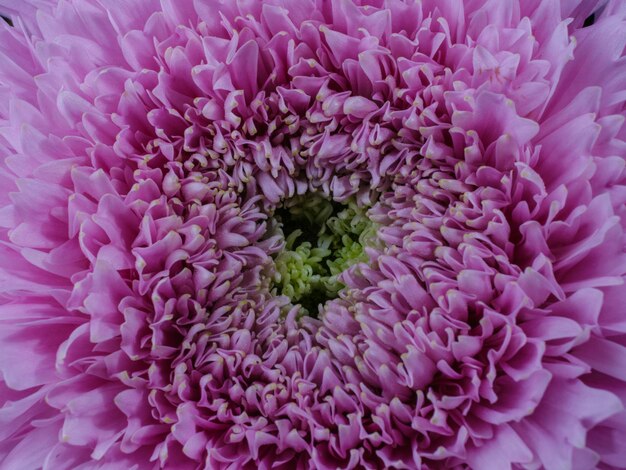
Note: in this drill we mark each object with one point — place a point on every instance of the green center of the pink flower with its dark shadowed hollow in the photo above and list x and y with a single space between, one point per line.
322 239
